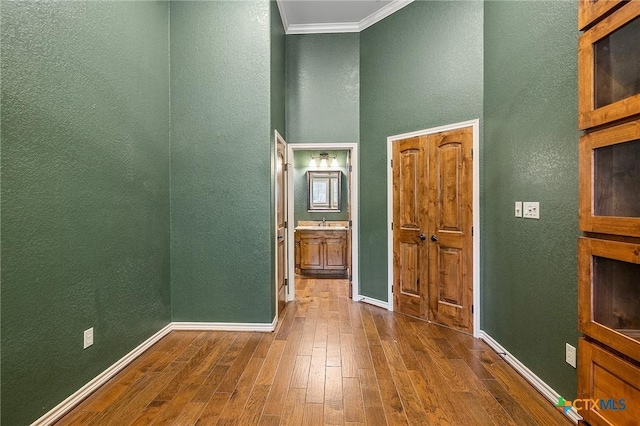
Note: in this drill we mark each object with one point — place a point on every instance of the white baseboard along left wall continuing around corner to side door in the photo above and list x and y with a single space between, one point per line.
69 403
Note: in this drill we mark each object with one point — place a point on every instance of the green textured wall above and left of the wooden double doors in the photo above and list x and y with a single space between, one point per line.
419 68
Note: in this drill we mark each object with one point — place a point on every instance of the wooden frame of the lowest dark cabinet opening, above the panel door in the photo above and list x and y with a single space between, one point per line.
622 251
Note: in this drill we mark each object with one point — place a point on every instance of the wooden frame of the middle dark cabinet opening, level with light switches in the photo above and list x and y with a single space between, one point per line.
589 222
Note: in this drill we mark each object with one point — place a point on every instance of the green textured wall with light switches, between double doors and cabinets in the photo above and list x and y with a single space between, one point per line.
530 151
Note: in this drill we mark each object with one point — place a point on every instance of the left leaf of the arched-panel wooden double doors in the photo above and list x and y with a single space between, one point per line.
409 226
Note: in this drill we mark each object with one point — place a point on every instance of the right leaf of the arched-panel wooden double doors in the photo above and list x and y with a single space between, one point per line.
450 228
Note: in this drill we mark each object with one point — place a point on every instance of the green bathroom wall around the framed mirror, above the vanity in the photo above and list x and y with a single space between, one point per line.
300 166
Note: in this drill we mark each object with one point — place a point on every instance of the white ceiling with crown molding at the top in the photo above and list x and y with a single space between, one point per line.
334 16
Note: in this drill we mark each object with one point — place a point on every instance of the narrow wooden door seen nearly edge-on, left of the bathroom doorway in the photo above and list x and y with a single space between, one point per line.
281 217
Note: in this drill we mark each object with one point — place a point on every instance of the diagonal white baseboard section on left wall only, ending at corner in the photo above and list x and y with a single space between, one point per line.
74 399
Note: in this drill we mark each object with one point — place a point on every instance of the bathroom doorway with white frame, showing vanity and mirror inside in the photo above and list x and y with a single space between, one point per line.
322 211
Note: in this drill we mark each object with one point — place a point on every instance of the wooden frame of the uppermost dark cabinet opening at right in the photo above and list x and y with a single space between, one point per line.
588 115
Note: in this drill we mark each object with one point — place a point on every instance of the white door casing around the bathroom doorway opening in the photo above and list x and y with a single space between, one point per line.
353 147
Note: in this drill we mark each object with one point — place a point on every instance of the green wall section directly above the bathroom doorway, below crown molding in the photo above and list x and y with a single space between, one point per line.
322 88
